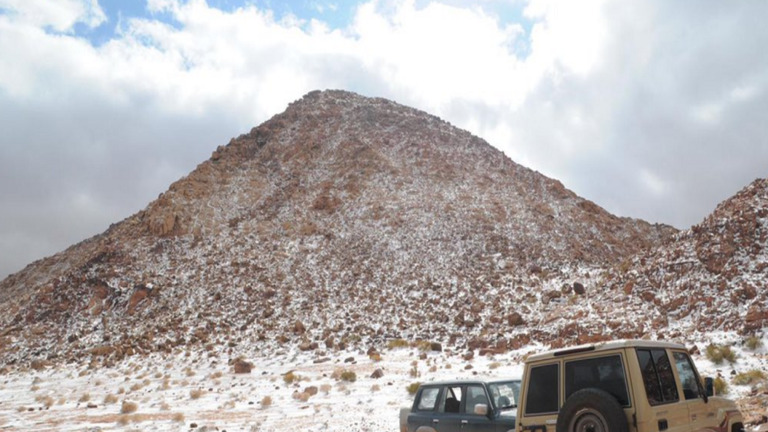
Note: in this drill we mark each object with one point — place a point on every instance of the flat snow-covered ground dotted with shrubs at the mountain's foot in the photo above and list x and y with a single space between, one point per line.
201 392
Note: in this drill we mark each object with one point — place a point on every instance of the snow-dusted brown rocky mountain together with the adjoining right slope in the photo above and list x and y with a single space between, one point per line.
346 223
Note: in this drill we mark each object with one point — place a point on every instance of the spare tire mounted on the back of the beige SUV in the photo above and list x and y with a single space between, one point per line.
592 410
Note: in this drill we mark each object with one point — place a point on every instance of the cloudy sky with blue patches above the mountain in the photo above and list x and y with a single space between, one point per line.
653 109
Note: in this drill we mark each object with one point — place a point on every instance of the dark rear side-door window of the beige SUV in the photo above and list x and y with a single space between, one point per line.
659 381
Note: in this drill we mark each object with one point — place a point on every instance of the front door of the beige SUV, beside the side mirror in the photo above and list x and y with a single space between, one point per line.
699 415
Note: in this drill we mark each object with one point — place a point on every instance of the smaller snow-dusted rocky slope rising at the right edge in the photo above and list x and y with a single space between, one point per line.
713 276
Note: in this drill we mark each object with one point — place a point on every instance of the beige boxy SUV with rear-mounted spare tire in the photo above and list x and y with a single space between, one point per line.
622 386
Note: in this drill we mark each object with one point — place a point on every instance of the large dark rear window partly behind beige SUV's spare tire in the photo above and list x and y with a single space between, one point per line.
604 373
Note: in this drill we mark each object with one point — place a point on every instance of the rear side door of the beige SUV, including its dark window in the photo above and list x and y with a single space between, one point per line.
667 413
